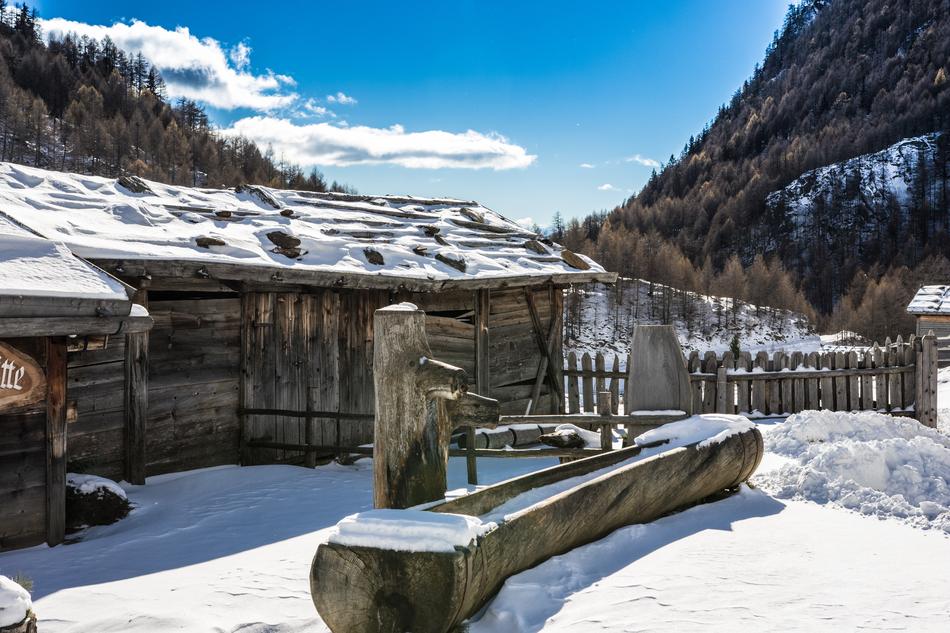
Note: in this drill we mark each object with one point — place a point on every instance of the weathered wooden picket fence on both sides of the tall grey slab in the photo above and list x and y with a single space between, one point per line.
899 377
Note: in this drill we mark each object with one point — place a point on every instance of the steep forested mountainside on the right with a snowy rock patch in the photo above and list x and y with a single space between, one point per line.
842 78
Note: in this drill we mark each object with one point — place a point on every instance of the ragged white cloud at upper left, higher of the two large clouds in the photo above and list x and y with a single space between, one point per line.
198 69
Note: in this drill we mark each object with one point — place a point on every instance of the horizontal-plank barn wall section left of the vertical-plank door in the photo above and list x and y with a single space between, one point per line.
194 355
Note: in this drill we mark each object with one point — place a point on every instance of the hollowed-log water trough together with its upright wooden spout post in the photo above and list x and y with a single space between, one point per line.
395 571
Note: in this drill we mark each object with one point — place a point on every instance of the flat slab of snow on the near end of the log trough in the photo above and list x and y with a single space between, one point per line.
409 530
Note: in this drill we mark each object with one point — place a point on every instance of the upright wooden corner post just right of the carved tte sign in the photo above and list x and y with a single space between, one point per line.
55 440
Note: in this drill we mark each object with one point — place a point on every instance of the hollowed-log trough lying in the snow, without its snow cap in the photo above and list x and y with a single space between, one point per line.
372 590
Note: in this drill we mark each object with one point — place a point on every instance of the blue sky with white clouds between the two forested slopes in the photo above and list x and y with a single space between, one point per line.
569 103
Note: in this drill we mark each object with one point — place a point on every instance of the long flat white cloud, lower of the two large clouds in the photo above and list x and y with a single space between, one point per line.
334 144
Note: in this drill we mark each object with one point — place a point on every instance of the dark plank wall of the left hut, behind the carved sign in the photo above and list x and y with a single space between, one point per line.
23 465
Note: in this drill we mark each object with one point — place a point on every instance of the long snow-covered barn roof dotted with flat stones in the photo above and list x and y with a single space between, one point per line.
389 237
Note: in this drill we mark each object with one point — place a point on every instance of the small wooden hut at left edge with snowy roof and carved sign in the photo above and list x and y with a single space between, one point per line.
53 307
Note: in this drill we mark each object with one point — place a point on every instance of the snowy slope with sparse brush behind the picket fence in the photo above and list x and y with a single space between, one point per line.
598 321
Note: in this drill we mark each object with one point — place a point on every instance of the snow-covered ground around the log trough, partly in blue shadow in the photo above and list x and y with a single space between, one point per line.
229 549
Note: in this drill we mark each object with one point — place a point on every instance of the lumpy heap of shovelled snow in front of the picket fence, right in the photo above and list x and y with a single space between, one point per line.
869 462
